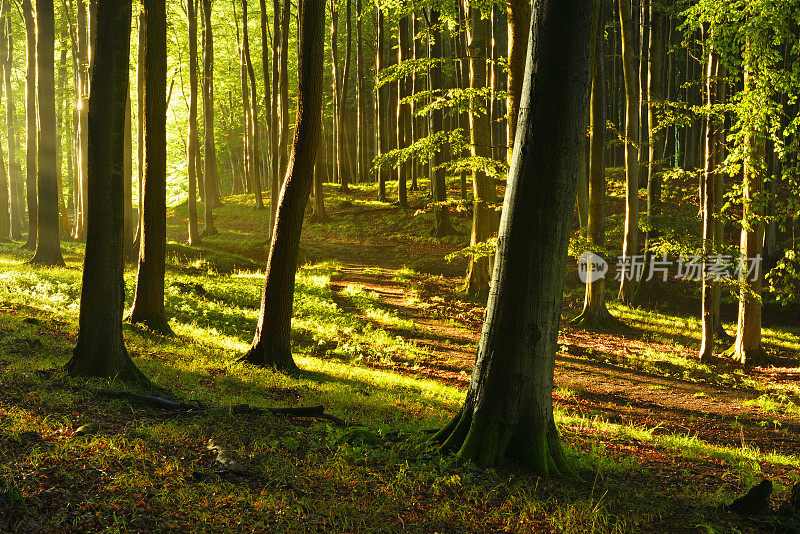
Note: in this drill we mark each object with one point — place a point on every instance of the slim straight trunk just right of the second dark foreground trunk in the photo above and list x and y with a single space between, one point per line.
192 137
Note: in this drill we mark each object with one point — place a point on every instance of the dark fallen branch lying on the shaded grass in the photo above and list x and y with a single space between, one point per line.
180 408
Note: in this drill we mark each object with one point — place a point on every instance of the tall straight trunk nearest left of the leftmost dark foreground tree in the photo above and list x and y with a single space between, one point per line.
48 246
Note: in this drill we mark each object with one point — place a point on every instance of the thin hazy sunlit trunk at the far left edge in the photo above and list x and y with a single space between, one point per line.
13 166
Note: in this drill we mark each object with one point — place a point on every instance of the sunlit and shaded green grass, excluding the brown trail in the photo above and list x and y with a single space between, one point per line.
144 472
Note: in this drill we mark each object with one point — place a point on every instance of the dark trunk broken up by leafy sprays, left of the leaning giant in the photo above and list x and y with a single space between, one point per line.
441 215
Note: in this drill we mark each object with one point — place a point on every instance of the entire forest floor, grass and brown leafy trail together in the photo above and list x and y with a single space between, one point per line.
386 339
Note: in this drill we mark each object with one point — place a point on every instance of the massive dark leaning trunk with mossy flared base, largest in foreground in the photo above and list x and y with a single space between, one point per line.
508 412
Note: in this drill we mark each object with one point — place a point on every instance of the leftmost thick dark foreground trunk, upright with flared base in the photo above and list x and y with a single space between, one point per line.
101 350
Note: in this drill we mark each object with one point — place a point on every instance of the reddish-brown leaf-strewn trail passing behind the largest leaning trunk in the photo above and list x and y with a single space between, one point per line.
587 381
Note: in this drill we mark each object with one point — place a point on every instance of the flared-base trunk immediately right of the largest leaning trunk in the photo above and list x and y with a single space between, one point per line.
595 313
